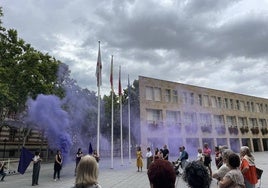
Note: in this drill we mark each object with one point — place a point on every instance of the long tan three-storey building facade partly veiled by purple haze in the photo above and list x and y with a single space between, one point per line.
178 114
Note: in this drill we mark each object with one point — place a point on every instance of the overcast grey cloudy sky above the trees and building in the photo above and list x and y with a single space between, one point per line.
219 44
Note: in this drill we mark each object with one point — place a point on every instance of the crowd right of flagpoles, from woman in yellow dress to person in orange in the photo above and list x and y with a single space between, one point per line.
233 170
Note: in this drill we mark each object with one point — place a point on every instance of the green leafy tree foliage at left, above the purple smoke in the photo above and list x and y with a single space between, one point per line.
24 72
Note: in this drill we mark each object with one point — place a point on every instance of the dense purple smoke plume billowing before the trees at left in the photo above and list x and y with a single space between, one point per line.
46 113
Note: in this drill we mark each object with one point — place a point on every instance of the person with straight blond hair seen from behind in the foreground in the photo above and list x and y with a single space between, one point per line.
87 173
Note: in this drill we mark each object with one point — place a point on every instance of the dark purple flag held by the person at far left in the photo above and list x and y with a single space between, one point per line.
25 159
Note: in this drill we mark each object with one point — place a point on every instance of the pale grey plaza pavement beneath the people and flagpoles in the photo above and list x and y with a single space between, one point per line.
120 176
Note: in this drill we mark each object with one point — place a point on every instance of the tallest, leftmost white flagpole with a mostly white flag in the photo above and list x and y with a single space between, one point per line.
98 83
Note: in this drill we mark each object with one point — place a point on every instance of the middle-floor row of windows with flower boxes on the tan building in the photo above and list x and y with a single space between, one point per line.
155 115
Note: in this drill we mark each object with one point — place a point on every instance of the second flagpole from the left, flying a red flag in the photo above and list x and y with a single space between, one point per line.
112 116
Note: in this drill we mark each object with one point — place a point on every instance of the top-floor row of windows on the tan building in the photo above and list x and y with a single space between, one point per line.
172 96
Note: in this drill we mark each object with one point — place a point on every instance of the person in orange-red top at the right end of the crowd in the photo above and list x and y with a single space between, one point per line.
248 167
